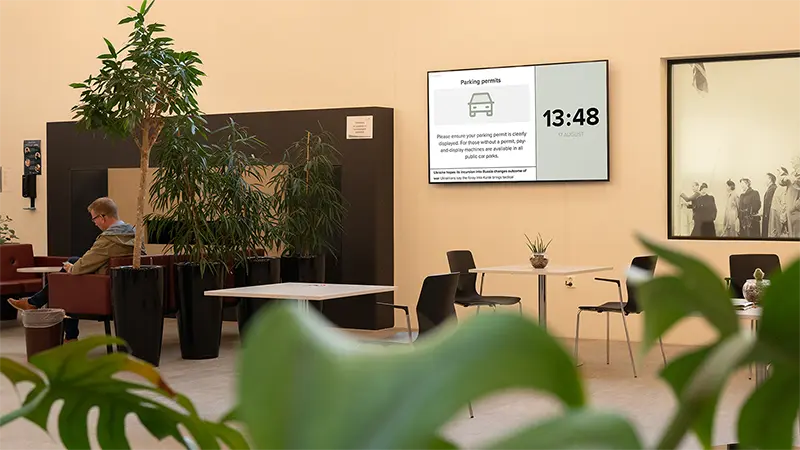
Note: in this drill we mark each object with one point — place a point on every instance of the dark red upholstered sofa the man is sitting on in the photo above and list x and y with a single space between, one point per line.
89 296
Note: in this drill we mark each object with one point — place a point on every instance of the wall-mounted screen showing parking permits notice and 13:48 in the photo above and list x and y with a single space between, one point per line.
519 124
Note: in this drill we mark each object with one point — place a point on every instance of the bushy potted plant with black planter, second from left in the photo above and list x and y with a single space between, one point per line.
208 203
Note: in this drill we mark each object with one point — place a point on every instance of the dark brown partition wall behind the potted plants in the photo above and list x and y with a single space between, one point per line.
367 183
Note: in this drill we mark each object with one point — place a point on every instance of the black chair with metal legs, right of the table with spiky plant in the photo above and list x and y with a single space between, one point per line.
621 307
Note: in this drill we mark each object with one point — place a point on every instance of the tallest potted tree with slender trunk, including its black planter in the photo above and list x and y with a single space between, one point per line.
136 89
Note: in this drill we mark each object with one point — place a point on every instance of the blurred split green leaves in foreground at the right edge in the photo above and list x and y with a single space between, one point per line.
768 417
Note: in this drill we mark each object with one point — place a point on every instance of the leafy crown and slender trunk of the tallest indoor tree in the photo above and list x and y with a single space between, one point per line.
138 86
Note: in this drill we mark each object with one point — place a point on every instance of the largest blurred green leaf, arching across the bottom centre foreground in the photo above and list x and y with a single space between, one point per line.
322 381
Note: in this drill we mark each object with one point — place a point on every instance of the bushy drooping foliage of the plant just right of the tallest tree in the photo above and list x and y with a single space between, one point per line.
208 195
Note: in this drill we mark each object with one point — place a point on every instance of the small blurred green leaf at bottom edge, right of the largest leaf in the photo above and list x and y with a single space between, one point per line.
579 430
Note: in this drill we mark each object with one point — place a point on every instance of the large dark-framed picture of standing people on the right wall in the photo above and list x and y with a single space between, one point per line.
734 148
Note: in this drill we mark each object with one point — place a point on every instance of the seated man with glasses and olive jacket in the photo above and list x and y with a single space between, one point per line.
117 239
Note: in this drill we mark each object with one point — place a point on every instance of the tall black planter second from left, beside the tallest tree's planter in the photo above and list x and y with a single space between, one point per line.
199 317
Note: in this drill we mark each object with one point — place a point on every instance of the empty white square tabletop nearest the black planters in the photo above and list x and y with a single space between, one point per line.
302 292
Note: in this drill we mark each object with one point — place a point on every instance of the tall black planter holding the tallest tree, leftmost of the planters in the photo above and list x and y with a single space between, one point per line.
137 297
